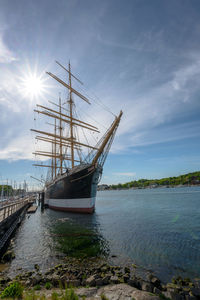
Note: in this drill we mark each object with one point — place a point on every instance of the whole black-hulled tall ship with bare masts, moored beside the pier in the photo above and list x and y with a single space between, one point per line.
75 166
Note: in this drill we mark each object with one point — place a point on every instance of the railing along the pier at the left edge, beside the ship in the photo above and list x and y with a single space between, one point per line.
8 210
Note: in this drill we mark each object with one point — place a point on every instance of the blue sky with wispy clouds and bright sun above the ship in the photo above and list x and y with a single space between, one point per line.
141 56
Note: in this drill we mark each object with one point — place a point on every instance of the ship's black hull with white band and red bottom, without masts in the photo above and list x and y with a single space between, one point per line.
74 191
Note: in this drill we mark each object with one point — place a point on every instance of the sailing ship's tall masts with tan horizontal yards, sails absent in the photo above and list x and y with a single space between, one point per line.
58 140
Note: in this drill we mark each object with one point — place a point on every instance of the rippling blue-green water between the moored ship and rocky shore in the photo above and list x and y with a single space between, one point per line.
156 229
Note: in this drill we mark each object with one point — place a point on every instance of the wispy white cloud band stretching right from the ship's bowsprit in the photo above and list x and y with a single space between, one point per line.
151 117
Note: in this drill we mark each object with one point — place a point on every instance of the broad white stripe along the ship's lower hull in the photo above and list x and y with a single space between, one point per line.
71 203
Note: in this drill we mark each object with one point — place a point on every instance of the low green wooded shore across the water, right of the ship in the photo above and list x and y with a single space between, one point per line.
189 179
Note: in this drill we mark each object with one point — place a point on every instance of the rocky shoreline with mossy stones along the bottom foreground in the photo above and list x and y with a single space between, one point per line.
93 277
